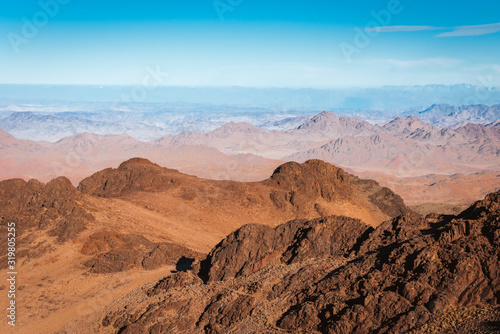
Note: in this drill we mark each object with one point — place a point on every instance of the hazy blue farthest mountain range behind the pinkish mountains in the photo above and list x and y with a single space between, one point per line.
152 121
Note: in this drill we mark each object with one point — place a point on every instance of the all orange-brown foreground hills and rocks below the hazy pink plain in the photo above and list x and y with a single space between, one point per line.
310 249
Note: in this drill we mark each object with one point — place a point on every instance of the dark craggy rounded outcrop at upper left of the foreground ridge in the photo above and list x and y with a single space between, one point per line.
252 247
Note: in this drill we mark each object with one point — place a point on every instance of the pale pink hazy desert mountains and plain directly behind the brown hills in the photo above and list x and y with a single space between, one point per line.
424 164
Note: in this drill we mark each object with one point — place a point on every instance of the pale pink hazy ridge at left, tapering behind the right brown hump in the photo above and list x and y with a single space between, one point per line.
78 155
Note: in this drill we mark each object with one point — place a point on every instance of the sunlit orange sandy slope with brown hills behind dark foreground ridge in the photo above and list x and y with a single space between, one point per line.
80 249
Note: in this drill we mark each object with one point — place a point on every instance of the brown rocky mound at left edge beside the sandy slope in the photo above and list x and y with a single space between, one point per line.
35 207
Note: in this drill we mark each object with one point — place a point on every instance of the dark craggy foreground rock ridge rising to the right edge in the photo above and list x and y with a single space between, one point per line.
336 275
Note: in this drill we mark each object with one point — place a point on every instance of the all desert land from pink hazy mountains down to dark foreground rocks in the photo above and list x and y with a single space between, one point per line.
110 246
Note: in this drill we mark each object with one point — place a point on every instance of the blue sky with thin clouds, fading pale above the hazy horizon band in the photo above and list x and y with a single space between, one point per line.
250 43
